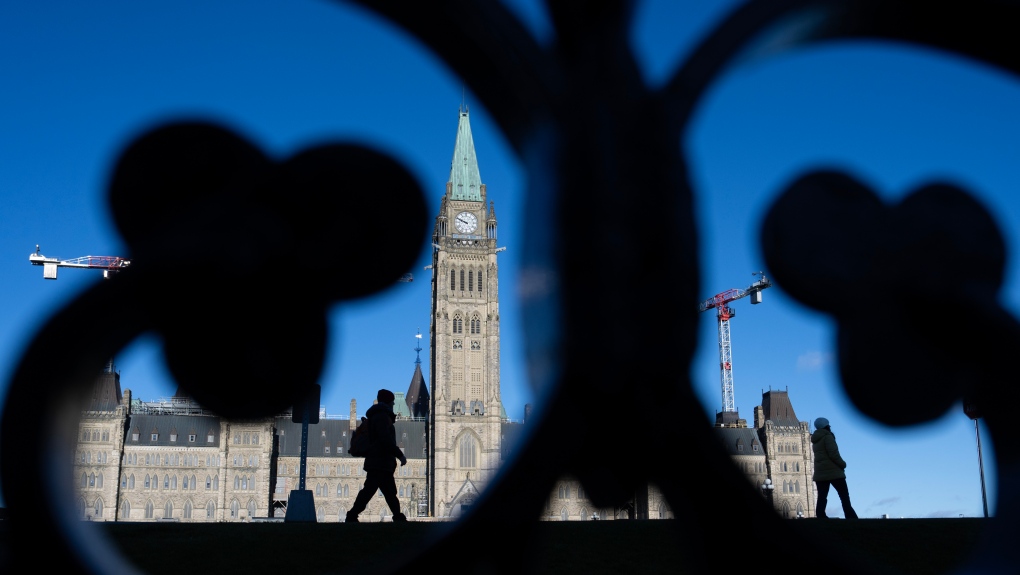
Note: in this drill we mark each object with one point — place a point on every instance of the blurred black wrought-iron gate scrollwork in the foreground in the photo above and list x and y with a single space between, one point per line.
592 136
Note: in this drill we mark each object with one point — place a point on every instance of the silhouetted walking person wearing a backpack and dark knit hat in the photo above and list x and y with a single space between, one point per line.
382 459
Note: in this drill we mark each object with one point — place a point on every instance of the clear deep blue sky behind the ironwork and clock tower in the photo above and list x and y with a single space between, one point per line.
81 81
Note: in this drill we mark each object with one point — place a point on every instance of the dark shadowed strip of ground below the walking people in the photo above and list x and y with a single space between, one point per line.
901 546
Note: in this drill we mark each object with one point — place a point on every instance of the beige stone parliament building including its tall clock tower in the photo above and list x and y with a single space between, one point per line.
174 461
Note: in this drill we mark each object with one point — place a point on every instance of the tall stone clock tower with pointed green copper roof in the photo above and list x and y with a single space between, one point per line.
467 411
